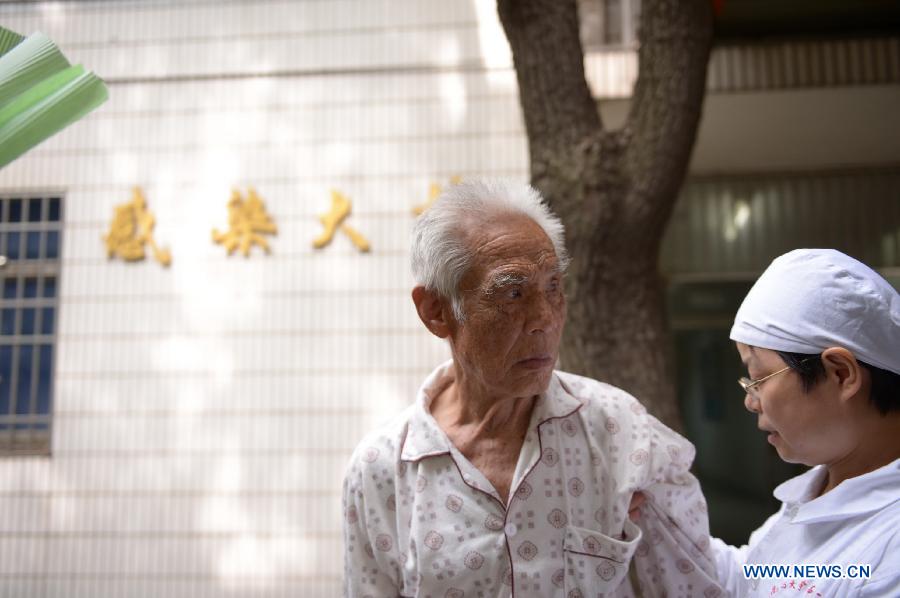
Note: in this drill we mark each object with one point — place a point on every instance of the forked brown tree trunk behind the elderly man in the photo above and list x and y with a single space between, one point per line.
613 190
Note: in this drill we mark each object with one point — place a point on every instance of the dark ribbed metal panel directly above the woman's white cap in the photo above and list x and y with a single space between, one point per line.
733 227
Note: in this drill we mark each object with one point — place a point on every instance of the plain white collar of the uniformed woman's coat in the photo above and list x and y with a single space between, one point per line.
863 494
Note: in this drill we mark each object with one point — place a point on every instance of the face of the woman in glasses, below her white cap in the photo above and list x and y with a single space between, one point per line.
804 427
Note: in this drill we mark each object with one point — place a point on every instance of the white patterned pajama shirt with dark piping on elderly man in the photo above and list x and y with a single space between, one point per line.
420 520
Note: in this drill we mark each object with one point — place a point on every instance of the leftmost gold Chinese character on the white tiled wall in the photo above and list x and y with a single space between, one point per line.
131 229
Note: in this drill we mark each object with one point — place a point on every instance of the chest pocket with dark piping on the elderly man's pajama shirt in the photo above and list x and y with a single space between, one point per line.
597 563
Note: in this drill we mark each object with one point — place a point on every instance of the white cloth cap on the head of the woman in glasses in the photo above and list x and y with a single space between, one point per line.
810 299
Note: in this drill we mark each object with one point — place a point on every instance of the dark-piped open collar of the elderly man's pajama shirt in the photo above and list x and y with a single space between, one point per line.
424 438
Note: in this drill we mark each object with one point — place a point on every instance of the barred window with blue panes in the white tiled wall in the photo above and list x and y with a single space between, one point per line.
30 242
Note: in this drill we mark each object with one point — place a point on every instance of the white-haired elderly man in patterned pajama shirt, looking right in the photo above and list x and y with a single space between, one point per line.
505 477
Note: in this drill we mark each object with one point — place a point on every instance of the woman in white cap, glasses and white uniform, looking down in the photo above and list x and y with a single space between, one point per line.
819 334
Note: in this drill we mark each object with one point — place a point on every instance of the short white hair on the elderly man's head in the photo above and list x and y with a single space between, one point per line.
440 254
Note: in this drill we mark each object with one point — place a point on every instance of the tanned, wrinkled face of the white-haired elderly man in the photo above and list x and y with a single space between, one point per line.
514 307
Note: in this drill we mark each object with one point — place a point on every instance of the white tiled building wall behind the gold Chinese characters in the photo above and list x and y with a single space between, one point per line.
204 414
